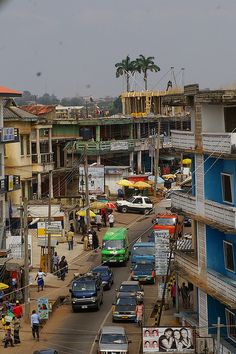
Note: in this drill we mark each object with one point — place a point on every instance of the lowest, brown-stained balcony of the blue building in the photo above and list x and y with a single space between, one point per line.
214 284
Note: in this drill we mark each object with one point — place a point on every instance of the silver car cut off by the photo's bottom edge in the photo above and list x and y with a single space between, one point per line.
112 339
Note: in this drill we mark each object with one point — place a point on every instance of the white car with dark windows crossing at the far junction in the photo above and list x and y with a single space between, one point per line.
138 203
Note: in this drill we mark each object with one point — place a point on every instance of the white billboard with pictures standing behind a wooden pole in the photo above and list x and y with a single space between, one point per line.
95 179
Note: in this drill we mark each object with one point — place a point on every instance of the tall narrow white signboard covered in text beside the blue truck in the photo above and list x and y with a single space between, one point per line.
162 251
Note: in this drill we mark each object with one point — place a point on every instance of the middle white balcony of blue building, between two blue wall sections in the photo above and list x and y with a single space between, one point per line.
214 214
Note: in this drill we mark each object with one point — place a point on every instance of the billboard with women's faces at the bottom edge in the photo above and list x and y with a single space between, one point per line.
168 339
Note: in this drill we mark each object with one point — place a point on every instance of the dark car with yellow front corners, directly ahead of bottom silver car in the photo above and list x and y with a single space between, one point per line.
124 307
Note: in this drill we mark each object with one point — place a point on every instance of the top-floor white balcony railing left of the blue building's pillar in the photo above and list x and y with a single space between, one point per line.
183 140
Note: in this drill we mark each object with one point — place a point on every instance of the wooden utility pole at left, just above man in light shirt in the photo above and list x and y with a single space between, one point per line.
26 260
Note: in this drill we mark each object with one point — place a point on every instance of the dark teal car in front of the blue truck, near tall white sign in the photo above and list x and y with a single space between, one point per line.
144 272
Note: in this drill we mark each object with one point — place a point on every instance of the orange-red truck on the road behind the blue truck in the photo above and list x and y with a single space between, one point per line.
170 222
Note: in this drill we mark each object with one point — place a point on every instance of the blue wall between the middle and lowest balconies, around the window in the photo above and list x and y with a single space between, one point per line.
215 251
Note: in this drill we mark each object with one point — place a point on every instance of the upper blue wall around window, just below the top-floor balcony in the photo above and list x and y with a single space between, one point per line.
212 181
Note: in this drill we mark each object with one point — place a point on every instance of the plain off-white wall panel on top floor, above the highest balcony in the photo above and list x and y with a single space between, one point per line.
213 118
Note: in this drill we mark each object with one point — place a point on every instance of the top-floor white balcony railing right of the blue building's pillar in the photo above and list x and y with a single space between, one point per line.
223 143
